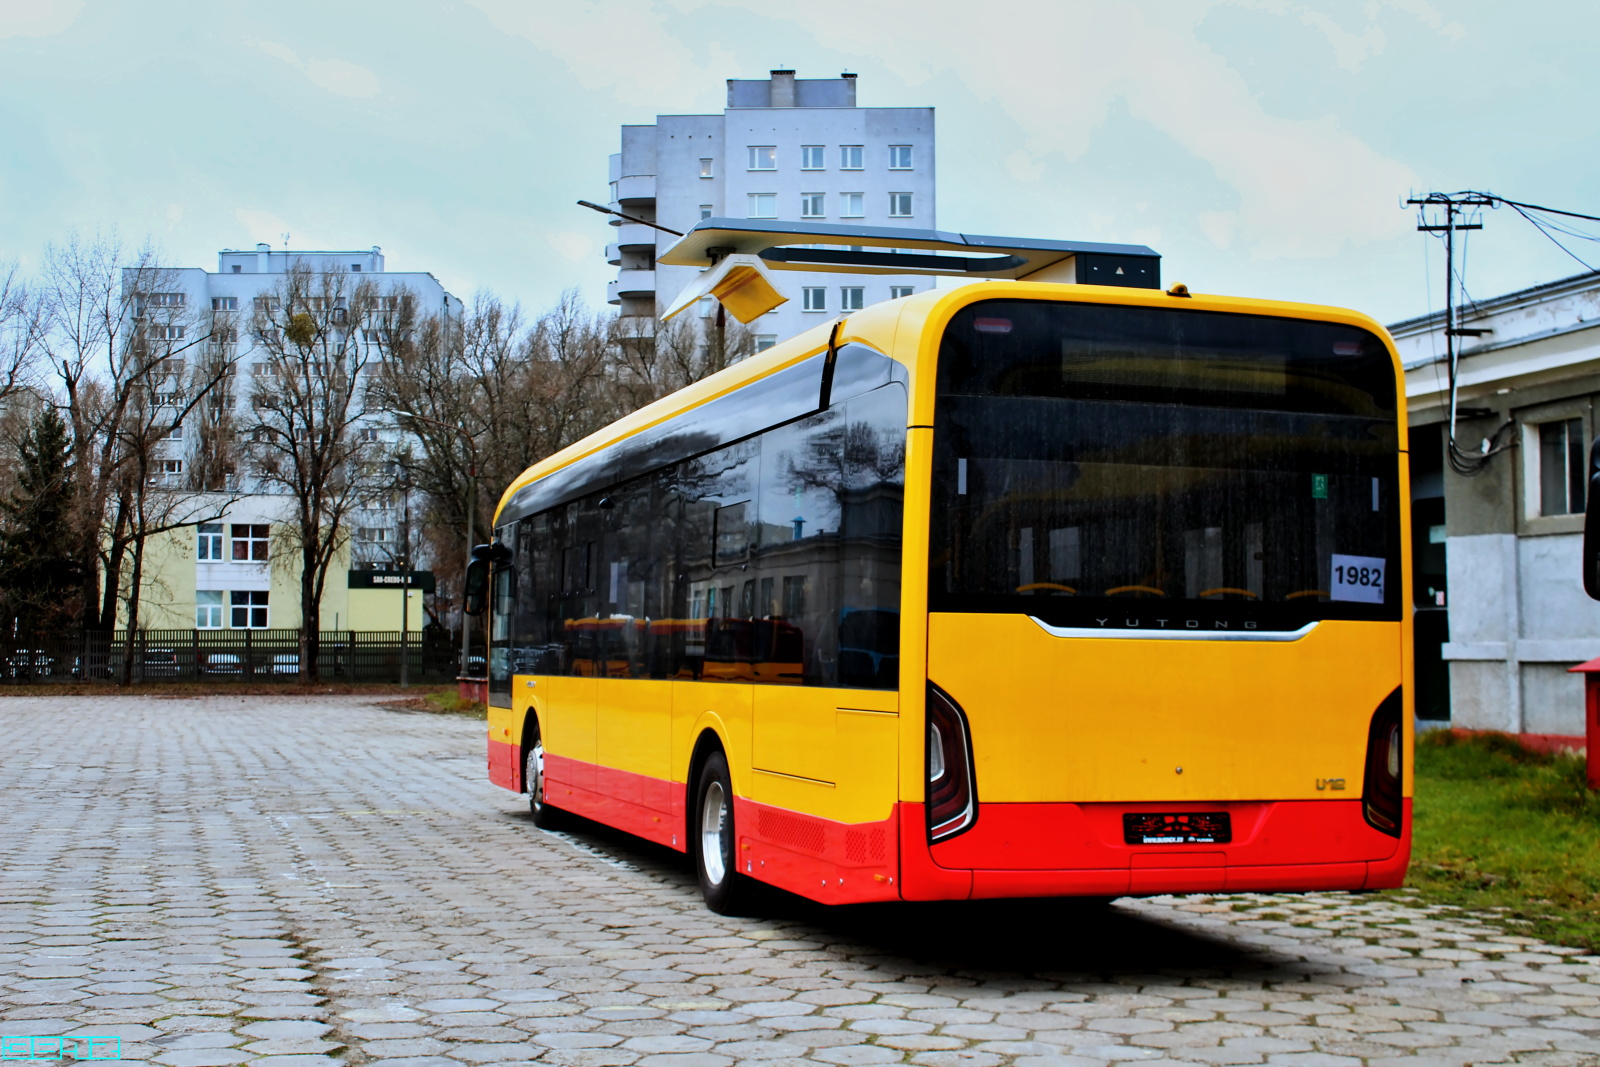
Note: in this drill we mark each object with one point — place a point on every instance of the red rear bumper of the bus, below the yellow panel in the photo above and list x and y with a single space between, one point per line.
1079 850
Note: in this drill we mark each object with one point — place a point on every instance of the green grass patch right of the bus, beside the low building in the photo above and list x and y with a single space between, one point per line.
1506 829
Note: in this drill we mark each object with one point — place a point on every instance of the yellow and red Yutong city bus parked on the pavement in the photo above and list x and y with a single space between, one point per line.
1009 589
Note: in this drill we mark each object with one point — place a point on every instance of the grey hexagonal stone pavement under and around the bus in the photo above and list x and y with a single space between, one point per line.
294 882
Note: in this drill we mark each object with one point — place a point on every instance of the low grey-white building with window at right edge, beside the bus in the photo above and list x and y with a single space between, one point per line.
1498 586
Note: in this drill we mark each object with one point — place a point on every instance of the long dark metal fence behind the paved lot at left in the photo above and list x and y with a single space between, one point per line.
230 657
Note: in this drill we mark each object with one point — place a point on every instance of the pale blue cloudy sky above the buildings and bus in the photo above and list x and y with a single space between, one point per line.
1265 148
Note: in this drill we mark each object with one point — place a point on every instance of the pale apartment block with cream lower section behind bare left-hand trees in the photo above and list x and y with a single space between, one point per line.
233 572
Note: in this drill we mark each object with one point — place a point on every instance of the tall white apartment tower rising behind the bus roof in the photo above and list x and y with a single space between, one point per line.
793 150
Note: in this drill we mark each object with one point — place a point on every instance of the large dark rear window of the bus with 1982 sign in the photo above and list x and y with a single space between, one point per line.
1166 470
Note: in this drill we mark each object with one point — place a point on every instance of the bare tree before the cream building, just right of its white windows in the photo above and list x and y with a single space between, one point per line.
314 338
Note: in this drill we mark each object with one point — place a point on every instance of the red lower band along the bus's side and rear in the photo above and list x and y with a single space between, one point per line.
1014 850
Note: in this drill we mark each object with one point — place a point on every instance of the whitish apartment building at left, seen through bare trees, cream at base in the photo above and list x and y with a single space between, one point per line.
222 575
